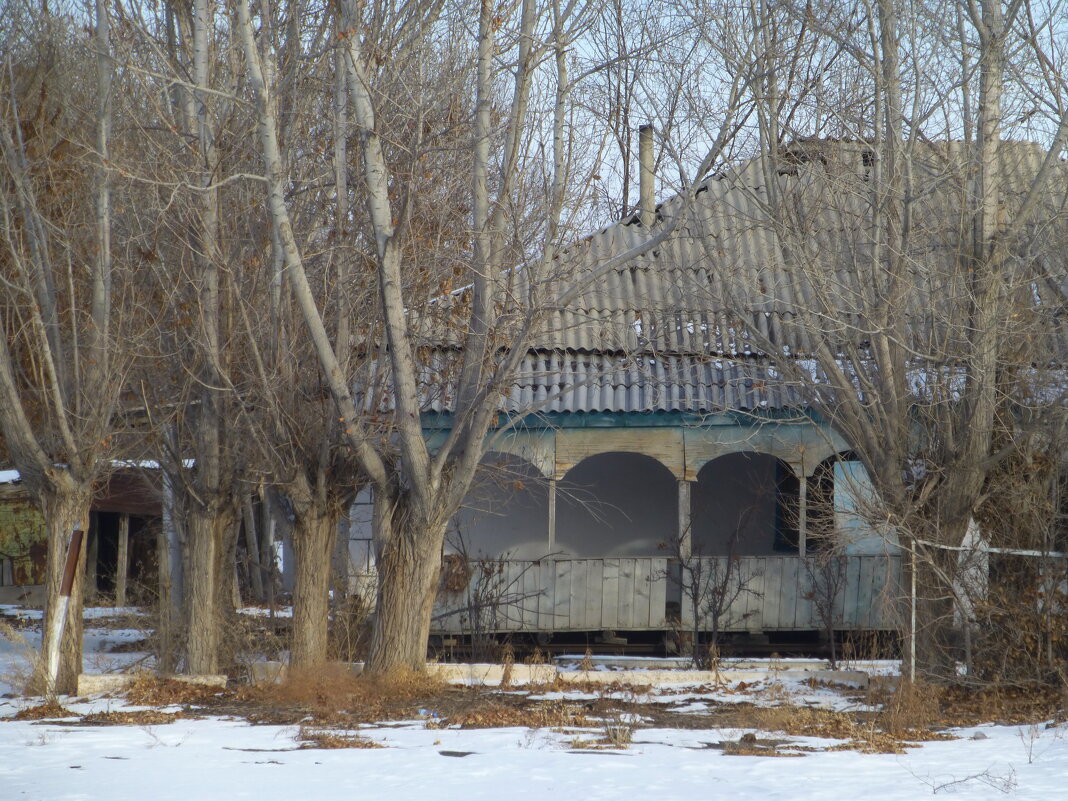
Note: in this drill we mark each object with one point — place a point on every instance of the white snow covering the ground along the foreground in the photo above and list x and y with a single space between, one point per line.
226 759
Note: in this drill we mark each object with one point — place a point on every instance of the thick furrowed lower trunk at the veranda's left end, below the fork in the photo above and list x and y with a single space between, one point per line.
410 564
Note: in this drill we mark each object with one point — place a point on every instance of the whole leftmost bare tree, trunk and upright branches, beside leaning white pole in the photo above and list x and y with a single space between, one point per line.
60 373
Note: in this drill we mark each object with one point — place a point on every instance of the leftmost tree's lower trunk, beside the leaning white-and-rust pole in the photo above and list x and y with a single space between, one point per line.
64 511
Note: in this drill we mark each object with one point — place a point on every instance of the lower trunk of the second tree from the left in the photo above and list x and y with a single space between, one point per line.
209 586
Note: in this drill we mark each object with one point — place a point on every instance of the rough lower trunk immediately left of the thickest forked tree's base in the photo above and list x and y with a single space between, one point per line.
313 541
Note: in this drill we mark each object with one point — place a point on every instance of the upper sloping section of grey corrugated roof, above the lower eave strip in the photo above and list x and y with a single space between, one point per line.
734 277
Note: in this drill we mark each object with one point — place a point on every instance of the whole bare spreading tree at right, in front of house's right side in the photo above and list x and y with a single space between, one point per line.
906 278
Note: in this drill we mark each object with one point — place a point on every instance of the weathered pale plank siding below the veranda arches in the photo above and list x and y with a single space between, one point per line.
632 594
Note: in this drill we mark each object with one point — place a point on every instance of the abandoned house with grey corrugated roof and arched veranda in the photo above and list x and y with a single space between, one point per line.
667 472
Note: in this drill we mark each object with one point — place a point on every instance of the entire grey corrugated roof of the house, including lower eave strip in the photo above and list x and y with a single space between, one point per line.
655 335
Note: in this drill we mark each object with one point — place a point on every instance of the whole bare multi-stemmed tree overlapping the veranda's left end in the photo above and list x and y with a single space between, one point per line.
419 489
